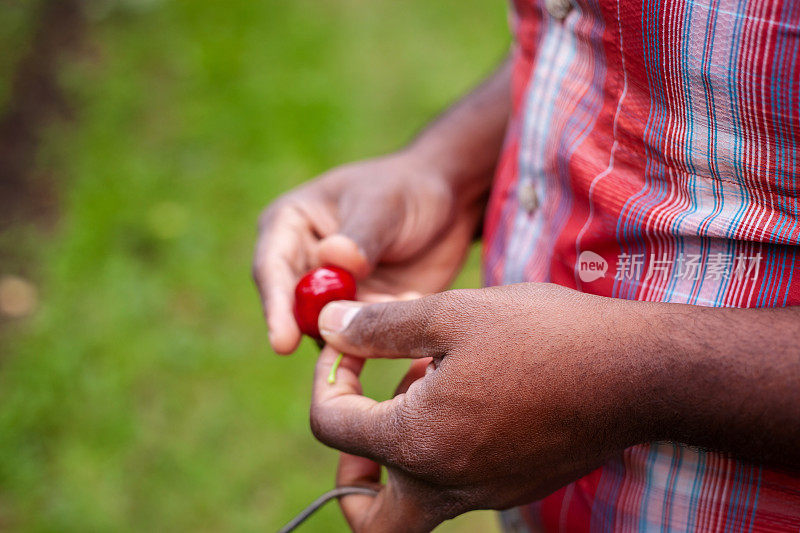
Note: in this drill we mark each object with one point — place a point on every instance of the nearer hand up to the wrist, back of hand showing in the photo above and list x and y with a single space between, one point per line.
519 399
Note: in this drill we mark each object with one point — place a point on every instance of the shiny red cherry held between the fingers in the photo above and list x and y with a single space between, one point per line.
317 288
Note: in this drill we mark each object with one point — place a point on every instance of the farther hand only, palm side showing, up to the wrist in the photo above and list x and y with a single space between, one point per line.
394 222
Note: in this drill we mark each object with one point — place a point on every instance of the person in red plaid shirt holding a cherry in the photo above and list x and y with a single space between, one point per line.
632 363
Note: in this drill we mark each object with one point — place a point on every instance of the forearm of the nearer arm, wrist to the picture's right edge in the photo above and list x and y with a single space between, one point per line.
724 379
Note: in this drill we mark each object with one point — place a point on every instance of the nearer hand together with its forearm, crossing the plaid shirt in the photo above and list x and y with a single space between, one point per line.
531 386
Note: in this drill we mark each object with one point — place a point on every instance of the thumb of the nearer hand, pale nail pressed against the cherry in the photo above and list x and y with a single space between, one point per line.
391 329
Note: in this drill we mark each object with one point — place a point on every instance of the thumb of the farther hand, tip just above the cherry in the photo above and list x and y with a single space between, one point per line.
369 224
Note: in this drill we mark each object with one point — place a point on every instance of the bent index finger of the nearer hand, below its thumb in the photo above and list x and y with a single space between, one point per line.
341 417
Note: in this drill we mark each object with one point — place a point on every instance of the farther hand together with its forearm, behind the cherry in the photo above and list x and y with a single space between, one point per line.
402 224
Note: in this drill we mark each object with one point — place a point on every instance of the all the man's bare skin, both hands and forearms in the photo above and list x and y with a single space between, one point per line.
514 391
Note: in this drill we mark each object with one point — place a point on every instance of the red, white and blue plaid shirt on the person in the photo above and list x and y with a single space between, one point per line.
659 142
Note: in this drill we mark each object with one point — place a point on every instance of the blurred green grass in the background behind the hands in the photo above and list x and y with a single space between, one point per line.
142 395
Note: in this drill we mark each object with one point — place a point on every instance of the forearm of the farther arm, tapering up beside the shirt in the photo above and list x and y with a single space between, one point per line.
465 141
